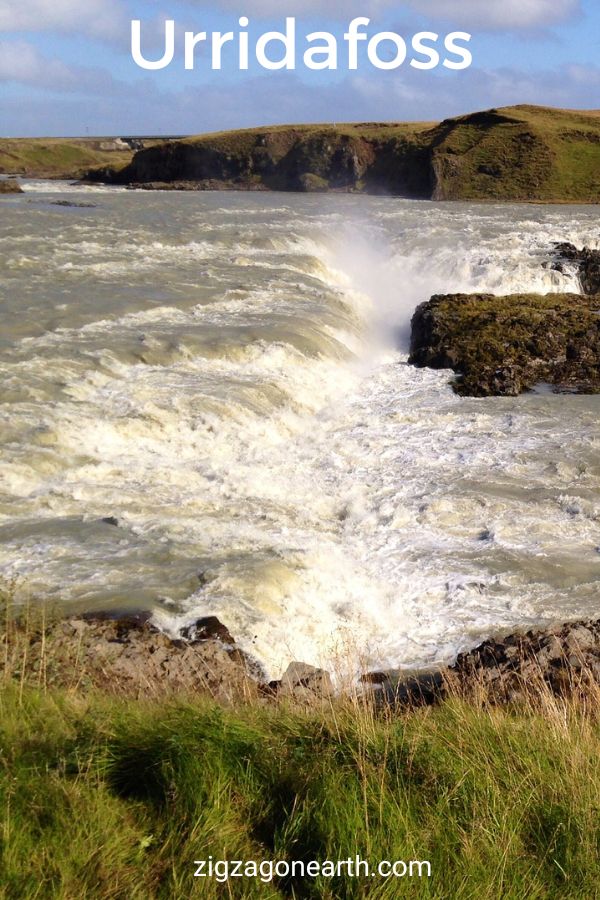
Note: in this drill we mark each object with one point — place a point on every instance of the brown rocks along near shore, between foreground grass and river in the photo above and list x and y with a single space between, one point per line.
125 654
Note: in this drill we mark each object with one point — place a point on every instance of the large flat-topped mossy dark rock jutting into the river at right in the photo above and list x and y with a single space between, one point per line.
507 345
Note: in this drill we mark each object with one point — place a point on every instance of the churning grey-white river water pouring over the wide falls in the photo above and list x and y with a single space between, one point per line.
206 407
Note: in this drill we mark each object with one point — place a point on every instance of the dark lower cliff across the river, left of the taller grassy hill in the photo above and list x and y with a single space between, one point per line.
371 159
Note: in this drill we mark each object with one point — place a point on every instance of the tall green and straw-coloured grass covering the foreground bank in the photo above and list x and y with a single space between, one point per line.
110 797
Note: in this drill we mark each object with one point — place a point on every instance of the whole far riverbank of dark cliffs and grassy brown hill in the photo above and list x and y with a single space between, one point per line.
521 153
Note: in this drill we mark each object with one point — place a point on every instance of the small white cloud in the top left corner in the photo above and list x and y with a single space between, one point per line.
97 18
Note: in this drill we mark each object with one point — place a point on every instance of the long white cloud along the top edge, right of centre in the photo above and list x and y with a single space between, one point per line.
485 14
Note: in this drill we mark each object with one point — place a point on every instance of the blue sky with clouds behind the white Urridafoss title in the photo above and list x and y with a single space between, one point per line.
66 66
